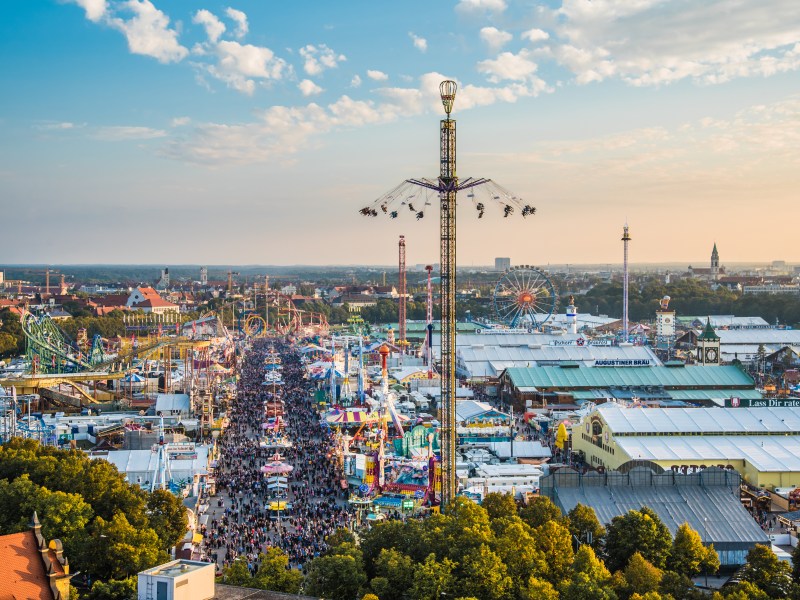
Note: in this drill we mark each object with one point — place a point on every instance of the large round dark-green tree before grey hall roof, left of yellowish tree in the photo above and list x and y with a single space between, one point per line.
637 531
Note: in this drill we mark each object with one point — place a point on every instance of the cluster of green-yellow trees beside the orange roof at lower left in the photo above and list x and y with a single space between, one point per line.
110 529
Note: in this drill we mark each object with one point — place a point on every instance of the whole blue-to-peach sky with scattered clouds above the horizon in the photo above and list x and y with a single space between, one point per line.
252 131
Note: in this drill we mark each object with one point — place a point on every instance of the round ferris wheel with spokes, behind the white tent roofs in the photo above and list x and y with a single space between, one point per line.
525 297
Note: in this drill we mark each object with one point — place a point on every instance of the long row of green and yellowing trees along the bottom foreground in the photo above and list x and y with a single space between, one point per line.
499 551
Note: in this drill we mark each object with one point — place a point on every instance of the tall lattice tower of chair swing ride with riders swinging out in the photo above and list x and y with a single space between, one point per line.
424 191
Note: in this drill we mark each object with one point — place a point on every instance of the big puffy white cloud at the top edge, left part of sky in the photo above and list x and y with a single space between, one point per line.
148 32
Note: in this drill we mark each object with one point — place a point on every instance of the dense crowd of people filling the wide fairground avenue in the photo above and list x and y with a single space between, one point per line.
313 505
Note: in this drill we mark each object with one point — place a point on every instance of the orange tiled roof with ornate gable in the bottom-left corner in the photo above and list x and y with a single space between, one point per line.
23 569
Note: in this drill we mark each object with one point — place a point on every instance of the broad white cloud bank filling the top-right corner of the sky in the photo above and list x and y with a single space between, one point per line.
651 42
